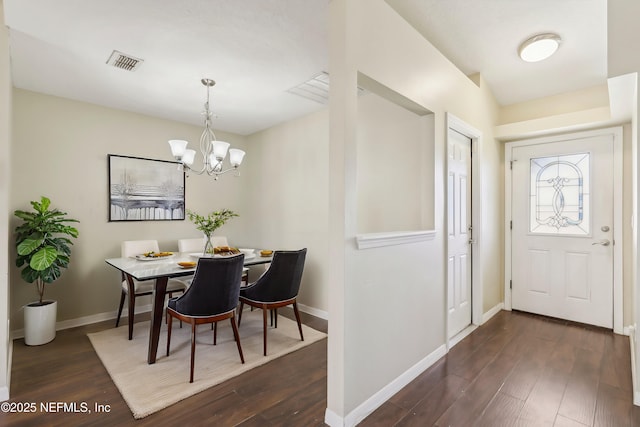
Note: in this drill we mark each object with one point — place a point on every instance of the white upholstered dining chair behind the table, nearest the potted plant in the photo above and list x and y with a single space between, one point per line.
131 248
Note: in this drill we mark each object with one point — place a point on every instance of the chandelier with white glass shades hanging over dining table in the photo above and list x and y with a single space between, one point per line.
213 151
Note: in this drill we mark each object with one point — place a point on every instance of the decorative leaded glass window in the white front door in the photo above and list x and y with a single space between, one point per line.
559 195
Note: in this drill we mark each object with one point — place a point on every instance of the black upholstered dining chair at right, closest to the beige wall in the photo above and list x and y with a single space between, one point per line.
277 287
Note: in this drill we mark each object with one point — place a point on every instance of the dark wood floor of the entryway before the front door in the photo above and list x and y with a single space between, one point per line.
522 370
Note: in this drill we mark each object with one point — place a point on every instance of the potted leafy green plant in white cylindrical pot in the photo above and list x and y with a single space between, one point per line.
43 245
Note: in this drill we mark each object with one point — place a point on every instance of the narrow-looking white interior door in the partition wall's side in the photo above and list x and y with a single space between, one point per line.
459 233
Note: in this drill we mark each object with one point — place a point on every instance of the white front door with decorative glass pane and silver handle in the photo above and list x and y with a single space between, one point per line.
562 229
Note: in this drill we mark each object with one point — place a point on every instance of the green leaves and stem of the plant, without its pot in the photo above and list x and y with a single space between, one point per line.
43 243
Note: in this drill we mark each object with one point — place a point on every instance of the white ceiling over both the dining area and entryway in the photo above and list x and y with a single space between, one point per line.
258 50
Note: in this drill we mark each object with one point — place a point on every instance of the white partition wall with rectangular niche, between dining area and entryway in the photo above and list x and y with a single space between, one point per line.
387 305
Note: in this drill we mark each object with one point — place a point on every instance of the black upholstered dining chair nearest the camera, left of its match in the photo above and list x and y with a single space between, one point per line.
212 297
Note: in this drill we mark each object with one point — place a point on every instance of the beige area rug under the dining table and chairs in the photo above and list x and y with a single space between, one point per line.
149 388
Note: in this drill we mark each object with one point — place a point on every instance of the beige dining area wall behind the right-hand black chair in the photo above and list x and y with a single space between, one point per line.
288 197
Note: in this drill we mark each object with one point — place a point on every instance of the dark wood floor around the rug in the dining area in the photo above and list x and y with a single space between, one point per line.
290 390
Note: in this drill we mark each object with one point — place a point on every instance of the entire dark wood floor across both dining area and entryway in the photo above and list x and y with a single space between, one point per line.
516 370
